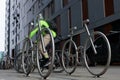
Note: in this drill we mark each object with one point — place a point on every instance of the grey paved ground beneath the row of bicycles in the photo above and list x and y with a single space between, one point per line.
113 73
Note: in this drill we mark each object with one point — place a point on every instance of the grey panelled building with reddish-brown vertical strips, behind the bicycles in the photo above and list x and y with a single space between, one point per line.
104 15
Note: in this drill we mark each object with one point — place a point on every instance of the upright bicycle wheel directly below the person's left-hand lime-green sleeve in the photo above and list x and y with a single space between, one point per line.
27 56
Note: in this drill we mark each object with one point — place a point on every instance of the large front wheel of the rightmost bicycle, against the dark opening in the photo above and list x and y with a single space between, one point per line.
99 62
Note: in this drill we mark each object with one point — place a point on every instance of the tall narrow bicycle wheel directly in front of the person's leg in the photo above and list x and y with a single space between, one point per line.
50 49
